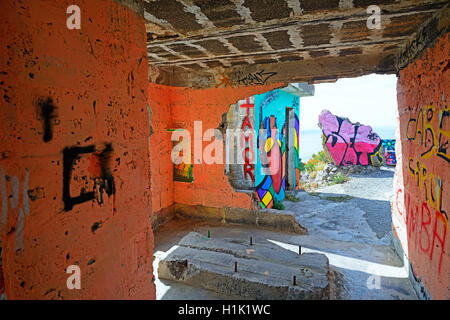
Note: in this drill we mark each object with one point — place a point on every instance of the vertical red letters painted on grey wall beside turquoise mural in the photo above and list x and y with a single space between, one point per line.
248 142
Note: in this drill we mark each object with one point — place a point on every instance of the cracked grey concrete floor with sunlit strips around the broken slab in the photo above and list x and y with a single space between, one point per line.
350 223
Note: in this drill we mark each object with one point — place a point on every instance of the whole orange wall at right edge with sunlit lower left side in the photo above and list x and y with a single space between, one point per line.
421 206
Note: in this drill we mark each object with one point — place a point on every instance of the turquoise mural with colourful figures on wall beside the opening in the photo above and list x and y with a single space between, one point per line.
270 169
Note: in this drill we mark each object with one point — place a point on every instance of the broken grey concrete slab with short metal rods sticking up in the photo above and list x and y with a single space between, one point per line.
264 271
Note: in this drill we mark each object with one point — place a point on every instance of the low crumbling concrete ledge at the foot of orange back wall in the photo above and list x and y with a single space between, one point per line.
265 218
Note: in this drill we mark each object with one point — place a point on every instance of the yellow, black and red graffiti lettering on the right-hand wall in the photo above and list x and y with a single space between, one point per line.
422 206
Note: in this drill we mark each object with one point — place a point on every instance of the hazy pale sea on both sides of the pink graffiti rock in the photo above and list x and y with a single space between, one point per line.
311 140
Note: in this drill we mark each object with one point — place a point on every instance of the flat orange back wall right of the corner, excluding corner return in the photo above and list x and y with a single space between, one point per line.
211 186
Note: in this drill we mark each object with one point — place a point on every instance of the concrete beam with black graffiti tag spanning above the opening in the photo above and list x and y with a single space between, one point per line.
321 69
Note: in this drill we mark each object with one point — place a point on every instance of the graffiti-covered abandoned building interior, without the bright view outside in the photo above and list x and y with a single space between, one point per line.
93 93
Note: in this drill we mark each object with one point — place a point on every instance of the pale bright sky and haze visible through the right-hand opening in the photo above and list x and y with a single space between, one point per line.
370 100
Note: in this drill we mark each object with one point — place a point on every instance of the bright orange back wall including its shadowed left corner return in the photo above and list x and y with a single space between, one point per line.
179 108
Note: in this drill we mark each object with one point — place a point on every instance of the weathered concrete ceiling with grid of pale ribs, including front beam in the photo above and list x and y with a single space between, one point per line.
222 43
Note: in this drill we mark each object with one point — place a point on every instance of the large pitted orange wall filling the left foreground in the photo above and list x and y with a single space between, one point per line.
96 78
